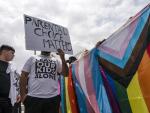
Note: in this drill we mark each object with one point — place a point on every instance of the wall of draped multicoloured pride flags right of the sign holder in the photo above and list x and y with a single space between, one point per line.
115 77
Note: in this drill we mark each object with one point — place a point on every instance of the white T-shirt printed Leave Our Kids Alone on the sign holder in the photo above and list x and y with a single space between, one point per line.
43 77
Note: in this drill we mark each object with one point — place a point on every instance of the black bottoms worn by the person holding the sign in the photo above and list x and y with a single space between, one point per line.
42 105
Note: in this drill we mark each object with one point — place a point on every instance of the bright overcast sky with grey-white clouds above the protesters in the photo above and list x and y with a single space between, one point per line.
88 21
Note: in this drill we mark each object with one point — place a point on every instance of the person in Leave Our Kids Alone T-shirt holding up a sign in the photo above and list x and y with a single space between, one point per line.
39 82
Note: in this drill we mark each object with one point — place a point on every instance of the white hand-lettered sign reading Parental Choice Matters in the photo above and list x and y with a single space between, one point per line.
46 36
